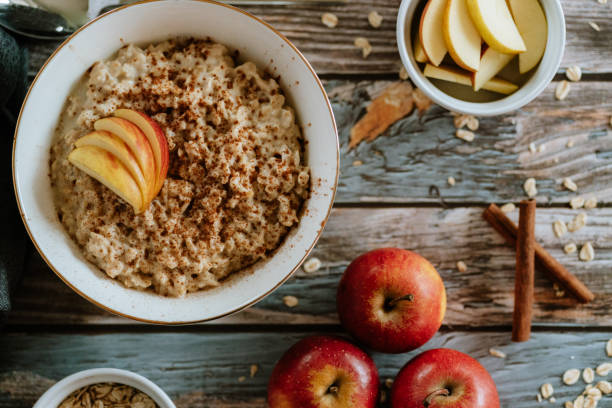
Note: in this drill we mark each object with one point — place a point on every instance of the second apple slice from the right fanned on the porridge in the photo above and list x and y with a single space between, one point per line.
138 143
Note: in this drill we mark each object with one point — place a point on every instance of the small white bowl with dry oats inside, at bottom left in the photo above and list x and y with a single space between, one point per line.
104 387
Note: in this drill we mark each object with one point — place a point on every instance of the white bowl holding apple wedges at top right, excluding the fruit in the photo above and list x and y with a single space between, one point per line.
533 87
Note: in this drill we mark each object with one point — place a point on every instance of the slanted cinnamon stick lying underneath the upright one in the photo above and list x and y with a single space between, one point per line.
544 261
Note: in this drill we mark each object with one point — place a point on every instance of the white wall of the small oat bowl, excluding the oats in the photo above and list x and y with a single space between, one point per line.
58 393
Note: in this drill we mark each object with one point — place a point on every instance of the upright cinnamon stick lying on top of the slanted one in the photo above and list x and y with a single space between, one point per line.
524 277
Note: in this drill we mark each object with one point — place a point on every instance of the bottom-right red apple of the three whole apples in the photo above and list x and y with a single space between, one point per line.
444 378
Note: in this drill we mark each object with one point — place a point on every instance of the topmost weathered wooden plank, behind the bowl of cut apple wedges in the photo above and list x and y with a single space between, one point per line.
331 51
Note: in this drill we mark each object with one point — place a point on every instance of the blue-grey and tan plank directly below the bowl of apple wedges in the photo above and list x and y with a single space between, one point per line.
420 151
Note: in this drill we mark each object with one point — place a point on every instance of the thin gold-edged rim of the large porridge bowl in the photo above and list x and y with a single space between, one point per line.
235 309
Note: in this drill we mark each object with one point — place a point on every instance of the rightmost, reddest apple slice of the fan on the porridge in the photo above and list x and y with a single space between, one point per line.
157 139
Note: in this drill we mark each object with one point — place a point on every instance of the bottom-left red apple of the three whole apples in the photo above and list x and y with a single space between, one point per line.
323 372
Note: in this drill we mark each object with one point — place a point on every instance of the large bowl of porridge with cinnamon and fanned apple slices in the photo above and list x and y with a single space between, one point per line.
179 170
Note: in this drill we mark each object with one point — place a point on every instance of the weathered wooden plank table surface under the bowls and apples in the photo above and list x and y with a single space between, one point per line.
52 332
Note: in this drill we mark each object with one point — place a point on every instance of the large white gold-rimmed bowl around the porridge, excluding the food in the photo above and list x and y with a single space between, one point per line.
144 23
